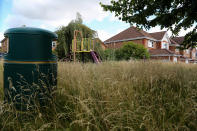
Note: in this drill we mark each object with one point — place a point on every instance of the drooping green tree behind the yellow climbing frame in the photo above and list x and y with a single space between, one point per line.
66 35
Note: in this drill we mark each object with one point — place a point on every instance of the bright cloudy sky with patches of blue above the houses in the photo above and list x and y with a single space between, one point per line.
51 14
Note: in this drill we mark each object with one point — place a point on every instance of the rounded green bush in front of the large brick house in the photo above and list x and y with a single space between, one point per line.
130 50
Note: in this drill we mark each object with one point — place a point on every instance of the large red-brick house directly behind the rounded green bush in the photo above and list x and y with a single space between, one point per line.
159 44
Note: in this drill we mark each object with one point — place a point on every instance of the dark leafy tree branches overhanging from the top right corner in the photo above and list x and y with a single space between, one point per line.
171 14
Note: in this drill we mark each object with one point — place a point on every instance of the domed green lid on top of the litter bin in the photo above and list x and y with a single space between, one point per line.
31 31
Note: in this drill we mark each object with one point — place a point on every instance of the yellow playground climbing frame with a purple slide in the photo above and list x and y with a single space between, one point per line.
84 45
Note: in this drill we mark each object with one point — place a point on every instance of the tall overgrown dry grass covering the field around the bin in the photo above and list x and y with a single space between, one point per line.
114 96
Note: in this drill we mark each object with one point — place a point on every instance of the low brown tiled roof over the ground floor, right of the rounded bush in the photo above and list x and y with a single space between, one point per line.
161 52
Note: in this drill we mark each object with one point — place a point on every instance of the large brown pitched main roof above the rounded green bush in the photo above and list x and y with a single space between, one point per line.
129 34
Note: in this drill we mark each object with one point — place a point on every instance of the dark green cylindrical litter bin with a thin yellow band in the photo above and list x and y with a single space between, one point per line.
30 68
